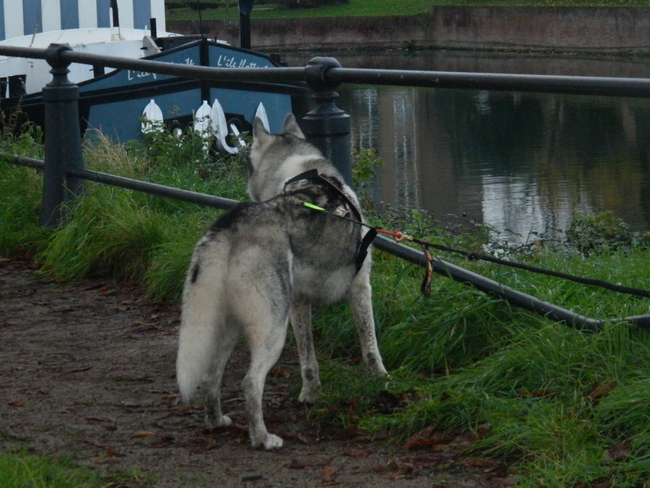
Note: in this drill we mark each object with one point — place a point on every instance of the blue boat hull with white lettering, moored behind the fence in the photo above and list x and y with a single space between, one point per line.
113 103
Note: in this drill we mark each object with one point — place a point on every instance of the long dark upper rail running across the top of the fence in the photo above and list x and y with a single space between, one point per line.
333 75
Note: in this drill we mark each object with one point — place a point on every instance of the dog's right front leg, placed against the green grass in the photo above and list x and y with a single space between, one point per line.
360 299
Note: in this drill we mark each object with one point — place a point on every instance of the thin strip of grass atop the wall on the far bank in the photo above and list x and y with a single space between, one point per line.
370 8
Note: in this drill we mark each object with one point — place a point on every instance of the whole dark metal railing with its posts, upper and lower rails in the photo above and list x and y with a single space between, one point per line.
327 126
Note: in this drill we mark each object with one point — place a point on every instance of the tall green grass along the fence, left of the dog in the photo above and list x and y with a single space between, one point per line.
116 232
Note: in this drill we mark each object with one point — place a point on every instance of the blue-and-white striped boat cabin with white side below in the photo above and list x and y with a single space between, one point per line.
87 25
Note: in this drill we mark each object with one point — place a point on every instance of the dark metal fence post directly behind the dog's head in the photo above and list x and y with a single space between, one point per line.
327 126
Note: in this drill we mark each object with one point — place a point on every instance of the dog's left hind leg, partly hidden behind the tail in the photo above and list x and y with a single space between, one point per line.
212 384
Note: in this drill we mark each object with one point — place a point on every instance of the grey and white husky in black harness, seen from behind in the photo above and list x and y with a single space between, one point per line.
266 263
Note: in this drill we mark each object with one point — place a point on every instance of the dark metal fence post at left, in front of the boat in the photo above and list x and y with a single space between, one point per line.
62 139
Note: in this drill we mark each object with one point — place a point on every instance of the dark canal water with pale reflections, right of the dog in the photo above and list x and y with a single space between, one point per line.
522 163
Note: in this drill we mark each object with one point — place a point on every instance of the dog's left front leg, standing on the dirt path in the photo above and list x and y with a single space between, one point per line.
301 323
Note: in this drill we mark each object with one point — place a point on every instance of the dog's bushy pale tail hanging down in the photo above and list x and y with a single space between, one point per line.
202 321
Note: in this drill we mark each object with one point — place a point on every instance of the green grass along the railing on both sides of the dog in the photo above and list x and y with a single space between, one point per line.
560 407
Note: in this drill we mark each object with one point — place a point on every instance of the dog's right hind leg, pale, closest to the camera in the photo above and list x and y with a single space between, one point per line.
266 340
